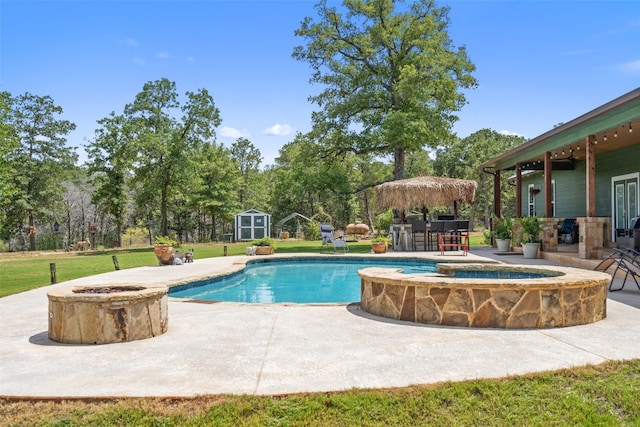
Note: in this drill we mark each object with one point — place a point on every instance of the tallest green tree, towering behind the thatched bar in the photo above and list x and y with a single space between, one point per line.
391 74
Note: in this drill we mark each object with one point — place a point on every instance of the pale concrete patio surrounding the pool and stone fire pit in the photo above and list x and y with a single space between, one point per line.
213 348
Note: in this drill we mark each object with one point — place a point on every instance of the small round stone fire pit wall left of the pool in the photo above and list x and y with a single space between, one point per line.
107 314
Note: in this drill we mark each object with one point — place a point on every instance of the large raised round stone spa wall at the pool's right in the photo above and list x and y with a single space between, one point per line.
564 297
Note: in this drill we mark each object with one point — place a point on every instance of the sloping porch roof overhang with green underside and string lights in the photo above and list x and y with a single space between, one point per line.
567 141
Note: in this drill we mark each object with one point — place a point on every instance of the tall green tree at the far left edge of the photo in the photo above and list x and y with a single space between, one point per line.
41 157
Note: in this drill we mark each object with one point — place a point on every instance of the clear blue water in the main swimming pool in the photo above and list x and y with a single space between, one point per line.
300 281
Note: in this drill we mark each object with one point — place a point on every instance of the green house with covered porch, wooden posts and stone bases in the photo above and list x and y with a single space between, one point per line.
588 169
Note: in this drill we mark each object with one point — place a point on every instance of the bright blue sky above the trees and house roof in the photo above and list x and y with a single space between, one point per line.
538 63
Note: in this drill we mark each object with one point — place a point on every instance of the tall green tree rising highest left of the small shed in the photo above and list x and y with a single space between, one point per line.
167 145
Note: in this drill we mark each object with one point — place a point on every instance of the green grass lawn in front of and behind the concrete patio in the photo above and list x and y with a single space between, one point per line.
604 395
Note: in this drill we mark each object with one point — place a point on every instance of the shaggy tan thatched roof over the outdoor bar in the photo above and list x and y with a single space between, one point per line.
422 191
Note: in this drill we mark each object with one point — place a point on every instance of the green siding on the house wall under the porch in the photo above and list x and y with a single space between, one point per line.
571 185
